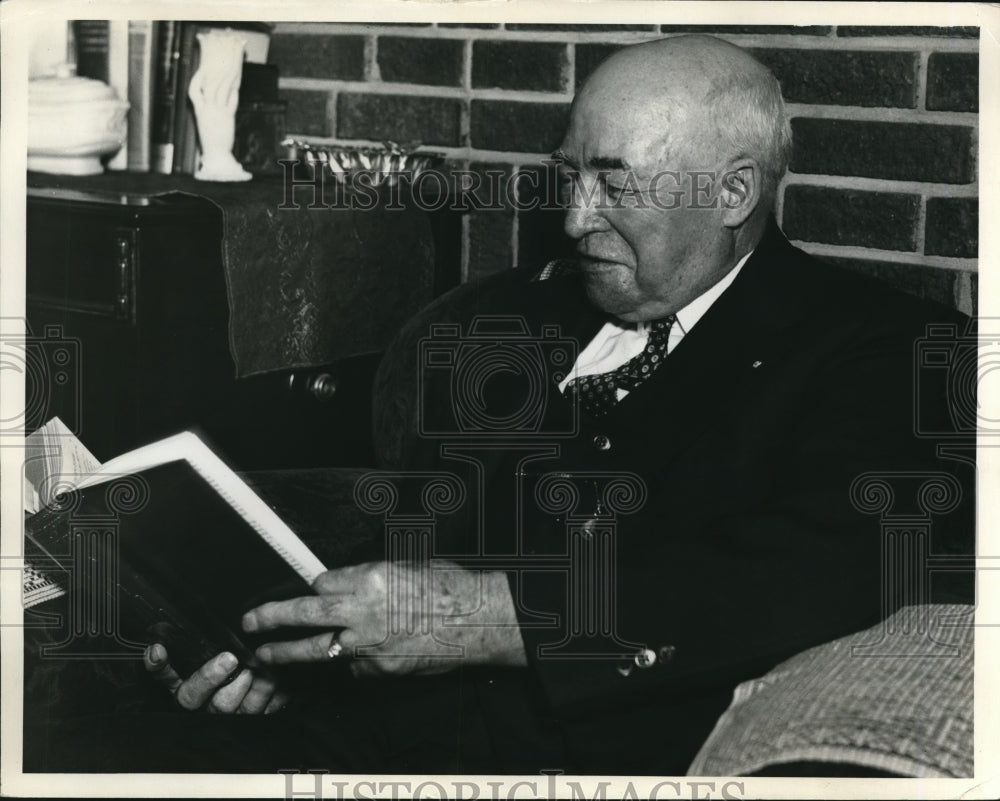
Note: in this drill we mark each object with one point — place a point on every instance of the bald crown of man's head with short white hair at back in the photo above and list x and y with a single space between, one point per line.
703 100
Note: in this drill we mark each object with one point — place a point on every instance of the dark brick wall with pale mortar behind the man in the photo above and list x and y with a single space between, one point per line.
883 178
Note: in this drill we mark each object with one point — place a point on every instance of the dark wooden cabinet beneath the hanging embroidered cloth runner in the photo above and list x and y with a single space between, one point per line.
133 290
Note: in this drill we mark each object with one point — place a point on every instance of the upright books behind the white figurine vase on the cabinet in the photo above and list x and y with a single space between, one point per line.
150 64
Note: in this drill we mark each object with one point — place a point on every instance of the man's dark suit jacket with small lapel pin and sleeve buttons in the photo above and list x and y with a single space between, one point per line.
748 547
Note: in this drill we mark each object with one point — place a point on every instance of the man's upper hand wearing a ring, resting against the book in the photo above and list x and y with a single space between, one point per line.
396 618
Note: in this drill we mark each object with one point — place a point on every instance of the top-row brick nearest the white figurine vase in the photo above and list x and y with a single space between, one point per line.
313 56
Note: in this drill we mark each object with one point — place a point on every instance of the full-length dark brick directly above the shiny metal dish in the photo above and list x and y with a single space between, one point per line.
401 118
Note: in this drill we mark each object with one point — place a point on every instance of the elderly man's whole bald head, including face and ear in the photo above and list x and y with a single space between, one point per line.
646 131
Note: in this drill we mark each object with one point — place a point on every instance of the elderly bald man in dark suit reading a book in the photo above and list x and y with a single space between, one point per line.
738 384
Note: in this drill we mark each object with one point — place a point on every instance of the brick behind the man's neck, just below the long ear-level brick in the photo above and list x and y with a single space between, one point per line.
883 220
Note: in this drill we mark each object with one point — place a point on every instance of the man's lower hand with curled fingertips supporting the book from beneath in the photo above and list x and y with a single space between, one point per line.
207 687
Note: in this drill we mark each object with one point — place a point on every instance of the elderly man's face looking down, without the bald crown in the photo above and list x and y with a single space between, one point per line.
642 257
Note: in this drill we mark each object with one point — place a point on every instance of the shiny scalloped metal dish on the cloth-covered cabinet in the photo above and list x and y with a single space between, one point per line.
384 164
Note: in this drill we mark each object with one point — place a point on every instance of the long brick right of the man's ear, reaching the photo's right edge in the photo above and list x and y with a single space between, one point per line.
891 150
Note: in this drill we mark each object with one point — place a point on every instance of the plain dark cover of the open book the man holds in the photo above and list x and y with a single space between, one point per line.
178 564
